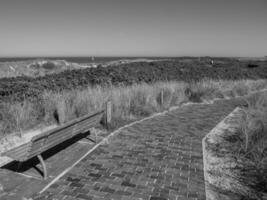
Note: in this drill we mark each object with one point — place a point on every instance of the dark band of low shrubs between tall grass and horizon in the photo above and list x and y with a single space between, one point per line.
30 88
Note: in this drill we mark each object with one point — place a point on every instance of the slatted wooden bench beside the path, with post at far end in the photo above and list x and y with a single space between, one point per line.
47 140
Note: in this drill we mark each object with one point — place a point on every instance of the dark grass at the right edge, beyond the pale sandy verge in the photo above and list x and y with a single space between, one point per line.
253 145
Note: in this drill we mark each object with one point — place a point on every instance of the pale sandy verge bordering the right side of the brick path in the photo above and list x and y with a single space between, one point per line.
221 171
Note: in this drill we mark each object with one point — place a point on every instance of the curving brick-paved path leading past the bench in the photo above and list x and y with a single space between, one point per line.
158 159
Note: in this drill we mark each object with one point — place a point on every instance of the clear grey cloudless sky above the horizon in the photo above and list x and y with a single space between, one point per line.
133 28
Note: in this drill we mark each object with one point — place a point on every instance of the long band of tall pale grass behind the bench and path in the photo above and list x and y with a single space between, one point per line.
129 102
